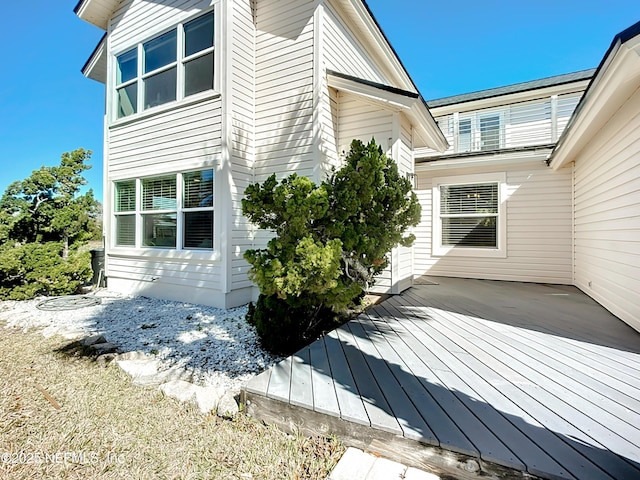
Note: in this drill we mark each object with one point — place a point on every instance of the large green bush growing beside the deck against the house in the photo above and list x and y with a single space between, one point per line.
331 240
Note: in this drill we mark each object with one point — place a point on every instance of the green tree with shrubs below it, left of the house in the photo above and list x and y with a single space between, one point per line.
43 221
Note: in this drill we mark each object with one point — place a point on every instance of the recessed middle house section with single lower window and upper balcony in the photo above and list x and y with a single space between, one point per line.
491 207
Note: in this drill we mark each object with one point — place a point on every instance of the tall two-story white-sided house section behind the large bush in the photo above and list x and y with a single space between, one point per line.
204 97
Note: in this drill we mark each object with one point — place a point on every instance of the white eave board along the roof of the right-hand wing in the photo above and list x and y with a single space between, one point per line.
615 82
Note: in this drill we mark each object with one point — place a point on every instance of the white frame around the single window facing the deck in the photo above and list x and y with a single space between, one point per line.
439 250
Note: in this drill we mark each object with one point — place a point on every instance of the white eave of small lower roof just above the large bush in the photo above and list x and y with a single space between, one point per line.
410 104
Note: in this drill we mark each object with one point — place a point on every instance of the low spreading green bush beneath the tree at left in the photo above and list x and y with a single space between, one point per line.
34 269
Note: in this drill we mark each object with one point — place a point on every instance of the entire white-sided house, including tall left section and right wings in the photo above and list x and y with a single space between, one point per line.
535 182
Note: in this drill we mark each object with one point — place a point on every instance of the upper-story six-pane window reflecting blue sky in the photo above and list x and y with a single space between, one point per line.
166 68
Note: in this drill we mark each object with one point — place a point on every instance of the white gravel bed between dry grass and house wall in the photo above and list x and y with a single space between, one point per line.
216 347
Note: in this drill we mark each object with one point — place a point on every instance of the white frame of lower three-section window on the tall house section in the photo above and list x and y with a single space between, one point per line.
180 210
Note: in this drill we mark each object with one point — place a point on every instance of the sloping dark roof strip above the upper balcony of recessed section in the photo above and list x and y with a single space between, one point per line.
515 88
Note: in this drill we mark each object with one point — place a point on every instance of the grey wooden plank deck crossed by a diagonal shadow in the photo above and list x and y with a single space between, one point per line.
472 376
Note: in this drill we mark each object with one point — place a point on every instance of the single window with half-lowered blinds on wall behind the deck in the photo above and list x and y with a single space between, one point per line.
469 214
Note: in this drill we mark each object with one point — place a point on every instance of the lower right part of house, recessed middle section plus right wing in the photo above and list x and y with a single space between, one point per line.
531 191
